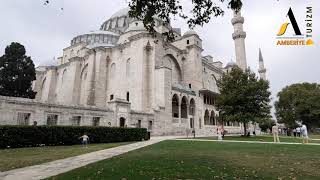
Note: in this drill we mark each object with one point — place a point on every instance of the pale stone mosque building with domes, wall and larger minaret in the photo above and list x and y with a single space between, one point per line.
120 75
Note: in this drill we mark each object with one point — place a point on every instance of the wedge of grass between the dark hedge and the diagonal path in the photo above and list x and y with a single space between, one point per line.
22 157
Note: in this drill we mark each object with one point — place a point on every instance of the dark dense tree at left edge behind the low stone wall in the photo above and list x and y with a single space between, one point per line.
16 72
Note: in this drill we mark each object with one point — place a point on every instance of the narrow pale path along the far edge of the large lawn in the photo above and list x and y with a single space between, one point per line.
257 142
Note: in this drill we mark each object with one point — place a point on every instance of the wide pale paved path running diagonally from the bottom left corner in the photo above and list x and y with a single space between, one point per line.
60 166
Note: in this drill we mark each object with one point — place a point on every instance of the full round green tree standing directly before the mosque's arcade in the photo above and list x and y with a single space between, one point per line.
243 98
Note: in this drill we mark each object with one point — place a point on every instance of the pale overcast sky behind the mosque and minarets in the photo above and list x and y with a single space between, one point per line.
46 30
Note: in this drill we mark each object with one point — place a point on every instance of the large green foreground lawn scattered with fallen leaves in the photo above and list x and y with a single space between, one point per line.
207 160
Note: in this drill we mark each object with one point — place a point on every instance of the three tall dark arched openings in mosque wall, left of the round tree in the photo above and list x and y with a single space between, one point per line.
183 107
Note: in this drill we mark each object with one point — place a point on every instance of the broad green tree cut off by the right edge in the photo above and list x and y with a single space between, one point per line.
299 103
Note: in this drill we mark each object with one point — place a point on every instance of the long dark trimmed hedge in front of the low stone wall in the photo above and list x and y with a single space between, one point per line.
31 136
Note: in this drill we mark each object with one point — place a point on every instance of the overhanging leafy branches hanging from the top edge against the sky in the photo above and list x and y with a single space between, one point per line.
201 13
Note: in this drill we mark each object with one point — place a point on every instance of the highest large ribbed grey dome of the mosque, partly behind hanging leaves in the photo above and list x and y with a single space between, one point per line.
118 22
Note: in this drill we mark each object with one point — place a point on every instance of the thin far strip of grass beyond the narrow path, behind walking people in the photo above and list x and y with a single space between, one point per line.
262 138
